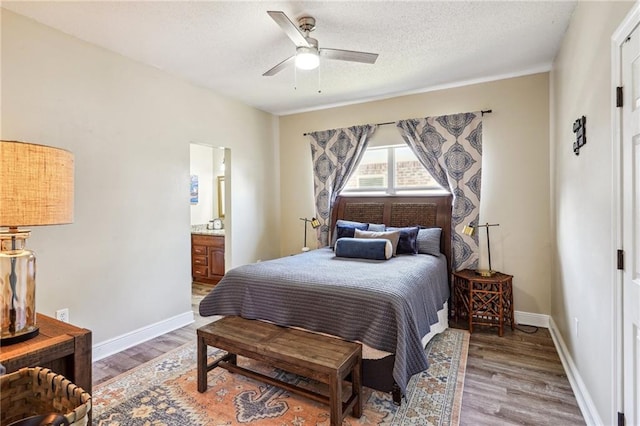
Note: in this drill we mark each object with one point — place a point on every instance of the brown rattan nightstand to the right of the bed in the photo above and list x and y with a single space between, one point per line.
484 300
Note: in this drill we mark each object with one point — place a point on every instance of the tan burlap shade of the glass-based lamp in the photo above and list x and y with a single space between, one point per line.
36 185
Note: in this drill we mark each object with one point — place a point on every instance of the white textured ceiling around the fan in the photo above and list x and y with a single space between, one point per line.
227 45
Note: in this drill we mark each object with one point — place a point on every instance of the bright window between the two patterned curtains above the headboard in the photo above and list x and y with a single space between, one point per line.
390 169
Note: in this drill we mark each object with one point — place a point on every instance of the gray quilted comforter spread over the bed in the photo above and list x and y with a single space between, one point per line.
388 305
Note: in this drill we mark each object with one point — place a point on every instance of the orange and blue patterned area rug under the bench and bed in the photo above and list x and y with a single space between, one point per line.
164 392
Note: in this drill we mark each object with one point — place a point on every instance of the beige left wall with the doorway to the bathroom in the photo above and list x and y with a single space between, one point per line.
124 263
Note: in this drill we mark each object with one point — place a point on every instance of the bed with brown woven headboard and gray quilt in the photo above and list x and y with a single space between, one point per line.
391 306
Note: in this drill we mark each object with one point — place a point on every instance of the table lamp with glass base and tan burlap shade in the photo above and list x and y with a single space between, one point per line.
36 188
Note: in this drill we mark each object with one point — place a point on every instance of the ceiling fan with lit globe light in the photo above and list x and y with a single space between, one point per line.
308 53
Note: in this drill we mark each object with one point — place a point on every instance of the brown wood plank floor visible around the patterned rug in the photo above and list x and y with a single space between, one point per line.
516 379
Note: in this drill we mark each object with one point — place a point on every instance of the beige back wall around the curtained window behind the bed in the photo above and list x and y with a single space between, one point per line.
515 188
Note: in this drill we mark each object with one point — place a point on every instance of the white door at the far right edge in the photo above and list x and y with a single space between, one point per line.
631 226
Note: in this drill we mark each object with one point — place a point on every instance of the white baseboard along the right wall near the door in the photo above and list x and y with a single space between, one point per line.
587 407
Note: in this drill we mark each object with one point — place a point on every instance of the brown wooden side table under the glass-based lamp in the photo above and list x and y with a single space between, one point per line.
60 346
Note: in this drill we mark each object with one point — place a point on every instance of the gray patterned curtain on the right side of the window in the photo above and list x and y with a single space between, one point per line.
450 147
